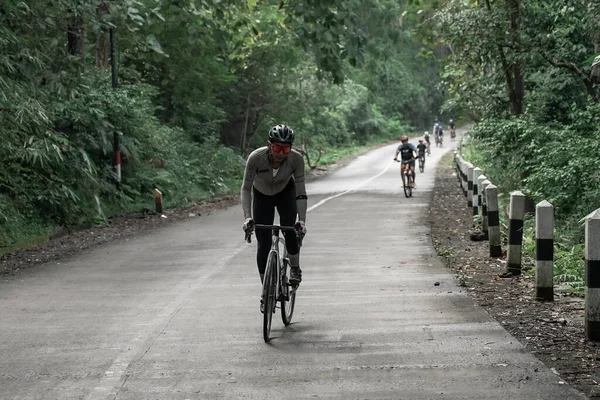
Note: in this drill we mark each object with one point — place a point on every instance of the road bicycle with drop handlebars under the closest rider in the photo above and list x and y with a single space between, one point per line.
276 286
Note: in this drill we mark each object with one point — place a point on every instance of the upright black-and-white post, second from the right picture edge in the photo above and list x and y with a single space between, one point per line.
544 251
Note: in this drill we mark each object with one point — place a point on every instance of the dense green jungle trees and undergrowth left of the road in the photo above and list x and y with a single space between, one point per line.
198 84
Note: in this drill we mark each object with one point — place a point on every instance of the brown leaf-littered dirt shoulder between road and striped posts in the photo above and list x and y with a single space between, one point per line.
552 331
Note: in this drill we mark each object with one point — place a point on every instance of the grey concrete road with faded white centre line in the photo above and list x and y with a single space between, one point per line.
175 314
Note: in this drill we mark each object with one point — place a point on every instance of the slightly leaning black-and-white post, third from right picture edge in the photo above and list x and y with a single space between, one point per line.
515 232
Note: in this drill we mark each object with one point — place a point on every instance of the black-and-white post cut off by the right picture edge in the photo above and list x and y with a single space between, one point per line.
592 276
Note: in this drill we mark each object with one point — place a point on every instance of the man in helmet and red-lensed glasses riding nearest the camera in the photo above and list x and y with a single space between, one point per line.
275 176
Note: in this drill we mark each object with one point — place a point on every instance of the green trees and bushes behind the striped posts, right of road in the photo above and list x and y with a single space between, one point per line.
528 73
